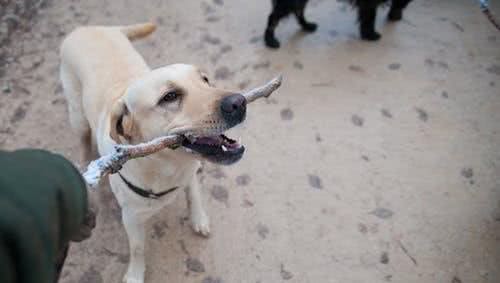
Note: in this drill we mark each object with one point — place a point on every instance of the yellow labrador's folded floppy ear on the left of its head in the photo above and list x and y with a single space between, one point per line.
121 123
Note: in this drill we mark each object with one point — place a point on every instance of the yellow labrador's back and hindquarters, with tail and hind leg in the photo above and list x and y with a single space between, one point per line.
96 62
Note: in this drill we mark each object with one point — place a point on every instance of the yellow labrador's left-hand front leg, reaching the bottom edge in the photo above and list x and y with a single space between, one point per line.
135 229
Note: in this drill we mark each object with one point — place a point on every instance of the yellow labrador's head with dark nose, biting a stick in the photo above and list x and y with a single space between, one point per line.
179 99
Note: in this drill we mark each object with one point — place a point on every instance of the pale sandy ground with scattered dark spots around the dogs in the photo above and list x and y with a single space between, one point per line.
375 162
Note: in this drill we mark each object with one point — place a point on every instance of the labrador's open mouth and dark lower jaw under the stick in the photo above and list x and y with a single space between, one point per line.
218 149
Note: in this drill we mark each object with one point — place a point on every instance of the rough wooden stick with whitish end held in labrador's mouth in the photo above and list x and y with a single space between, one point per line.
113 162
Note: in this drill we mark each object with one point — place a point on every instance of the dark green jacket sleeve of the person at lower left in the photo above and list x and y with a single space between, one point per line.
43 201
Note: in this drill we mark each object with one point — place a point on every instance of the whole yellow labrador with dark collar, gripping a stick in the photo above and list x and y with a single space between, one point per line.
114 97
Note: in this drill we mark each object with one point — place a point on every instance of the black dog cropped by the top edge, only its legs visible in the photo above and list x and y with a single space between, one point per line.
367 13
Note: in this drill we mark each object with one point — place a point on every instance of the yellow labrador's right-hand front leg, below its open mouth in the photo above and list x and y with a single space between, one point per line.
199 219
